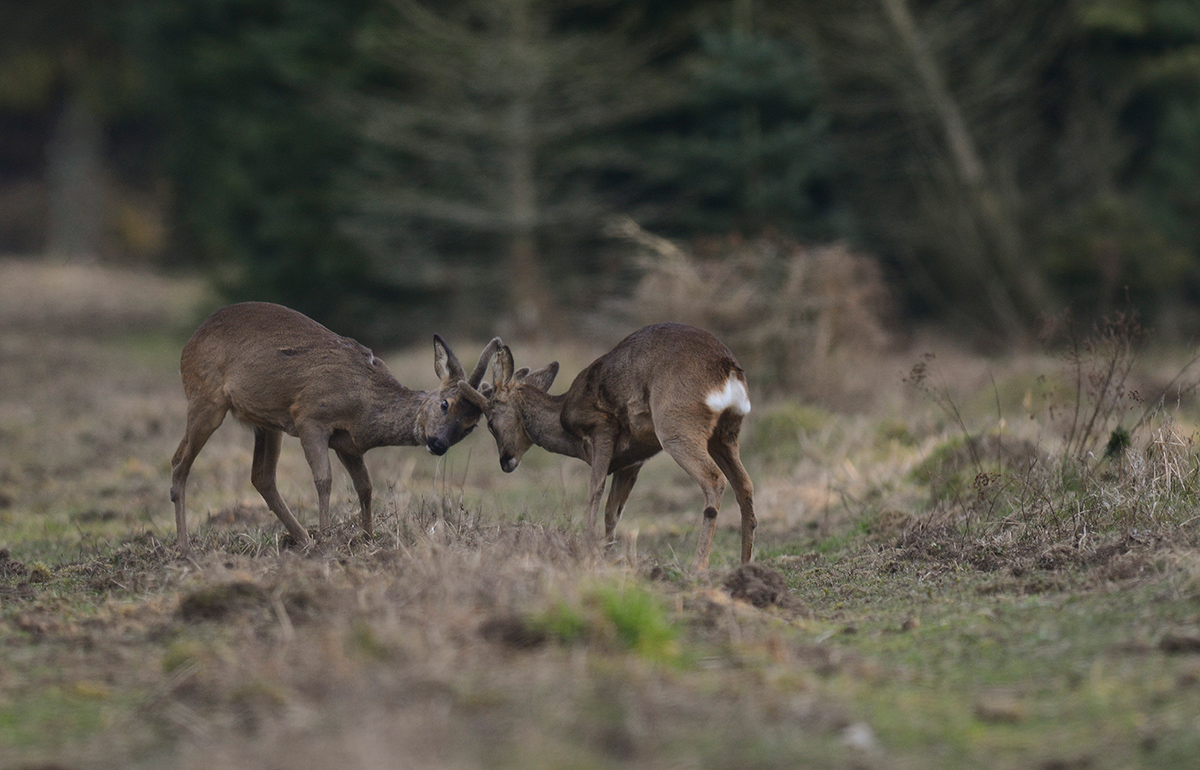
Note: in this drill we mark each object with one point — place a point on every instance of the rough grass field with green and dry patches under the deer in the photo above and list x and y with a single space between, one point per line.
922 599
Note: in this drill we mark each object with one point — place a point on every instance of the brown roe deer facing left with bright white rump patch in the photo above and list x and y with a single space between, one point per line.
668 387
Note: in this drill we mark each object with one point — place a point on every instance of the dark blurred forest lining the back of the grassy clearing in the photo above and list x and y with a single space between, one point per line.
521 166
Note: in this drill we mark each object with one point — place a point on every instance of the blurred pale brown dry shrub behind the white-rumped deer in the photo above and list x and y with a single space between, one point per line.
795 315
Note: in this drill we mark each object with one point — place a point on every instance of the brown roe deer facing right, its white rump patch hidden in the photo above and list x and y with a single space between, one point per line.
281 372
